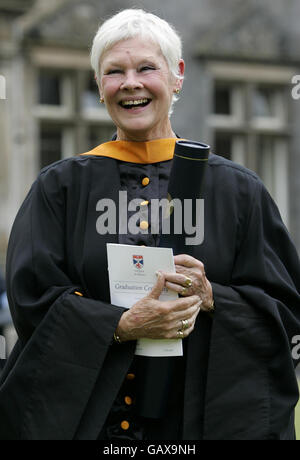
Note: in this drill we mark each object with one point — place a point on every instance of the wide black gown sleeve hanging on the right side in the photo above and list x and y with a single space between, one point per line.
256 320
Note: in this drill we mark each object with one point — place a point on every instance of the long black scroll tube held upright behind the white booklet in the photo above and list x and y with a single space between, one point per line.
161 383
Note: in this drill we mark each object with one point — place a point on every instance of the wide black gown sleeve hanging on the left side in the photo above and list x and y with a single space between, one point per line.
65 340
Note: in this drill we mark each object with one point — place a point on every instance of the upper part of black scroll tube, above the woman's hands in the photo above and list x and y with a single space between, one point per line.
184 224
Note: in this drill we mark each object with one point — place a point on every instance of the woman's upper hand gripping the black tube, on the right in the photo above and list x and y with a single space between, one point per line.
190 280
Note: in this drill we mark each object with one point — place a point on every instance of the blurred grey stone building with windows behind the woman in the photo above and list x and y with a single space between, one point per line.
241 56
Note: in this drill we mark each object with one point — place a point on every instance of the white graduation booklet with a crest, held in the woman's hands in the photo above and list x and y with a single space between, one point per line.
132 276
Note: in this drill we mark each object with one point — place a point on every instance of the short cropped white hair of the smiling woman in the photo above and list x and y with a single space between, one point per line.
131 23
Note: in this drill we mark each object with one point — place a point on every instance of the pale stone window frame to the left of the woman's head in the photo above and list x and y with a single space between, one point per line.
78 123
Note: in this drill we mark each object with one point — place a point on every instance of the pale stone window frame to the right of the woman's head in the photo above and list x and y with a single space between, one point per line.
248 131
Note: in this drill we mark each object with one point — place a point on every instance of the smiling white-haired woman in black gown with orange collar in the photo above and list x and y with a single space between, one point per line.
73 373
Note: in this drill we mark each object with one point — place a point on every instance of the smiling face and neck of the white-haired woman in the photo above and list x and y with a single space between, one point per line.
137 88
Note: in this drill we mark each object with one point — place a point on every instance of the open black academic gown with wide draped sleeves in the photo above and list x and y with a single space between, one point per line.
64 373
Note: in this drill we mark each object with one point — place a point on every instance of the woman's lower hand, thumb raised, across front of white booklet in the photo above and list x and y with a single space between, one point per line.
154 319
